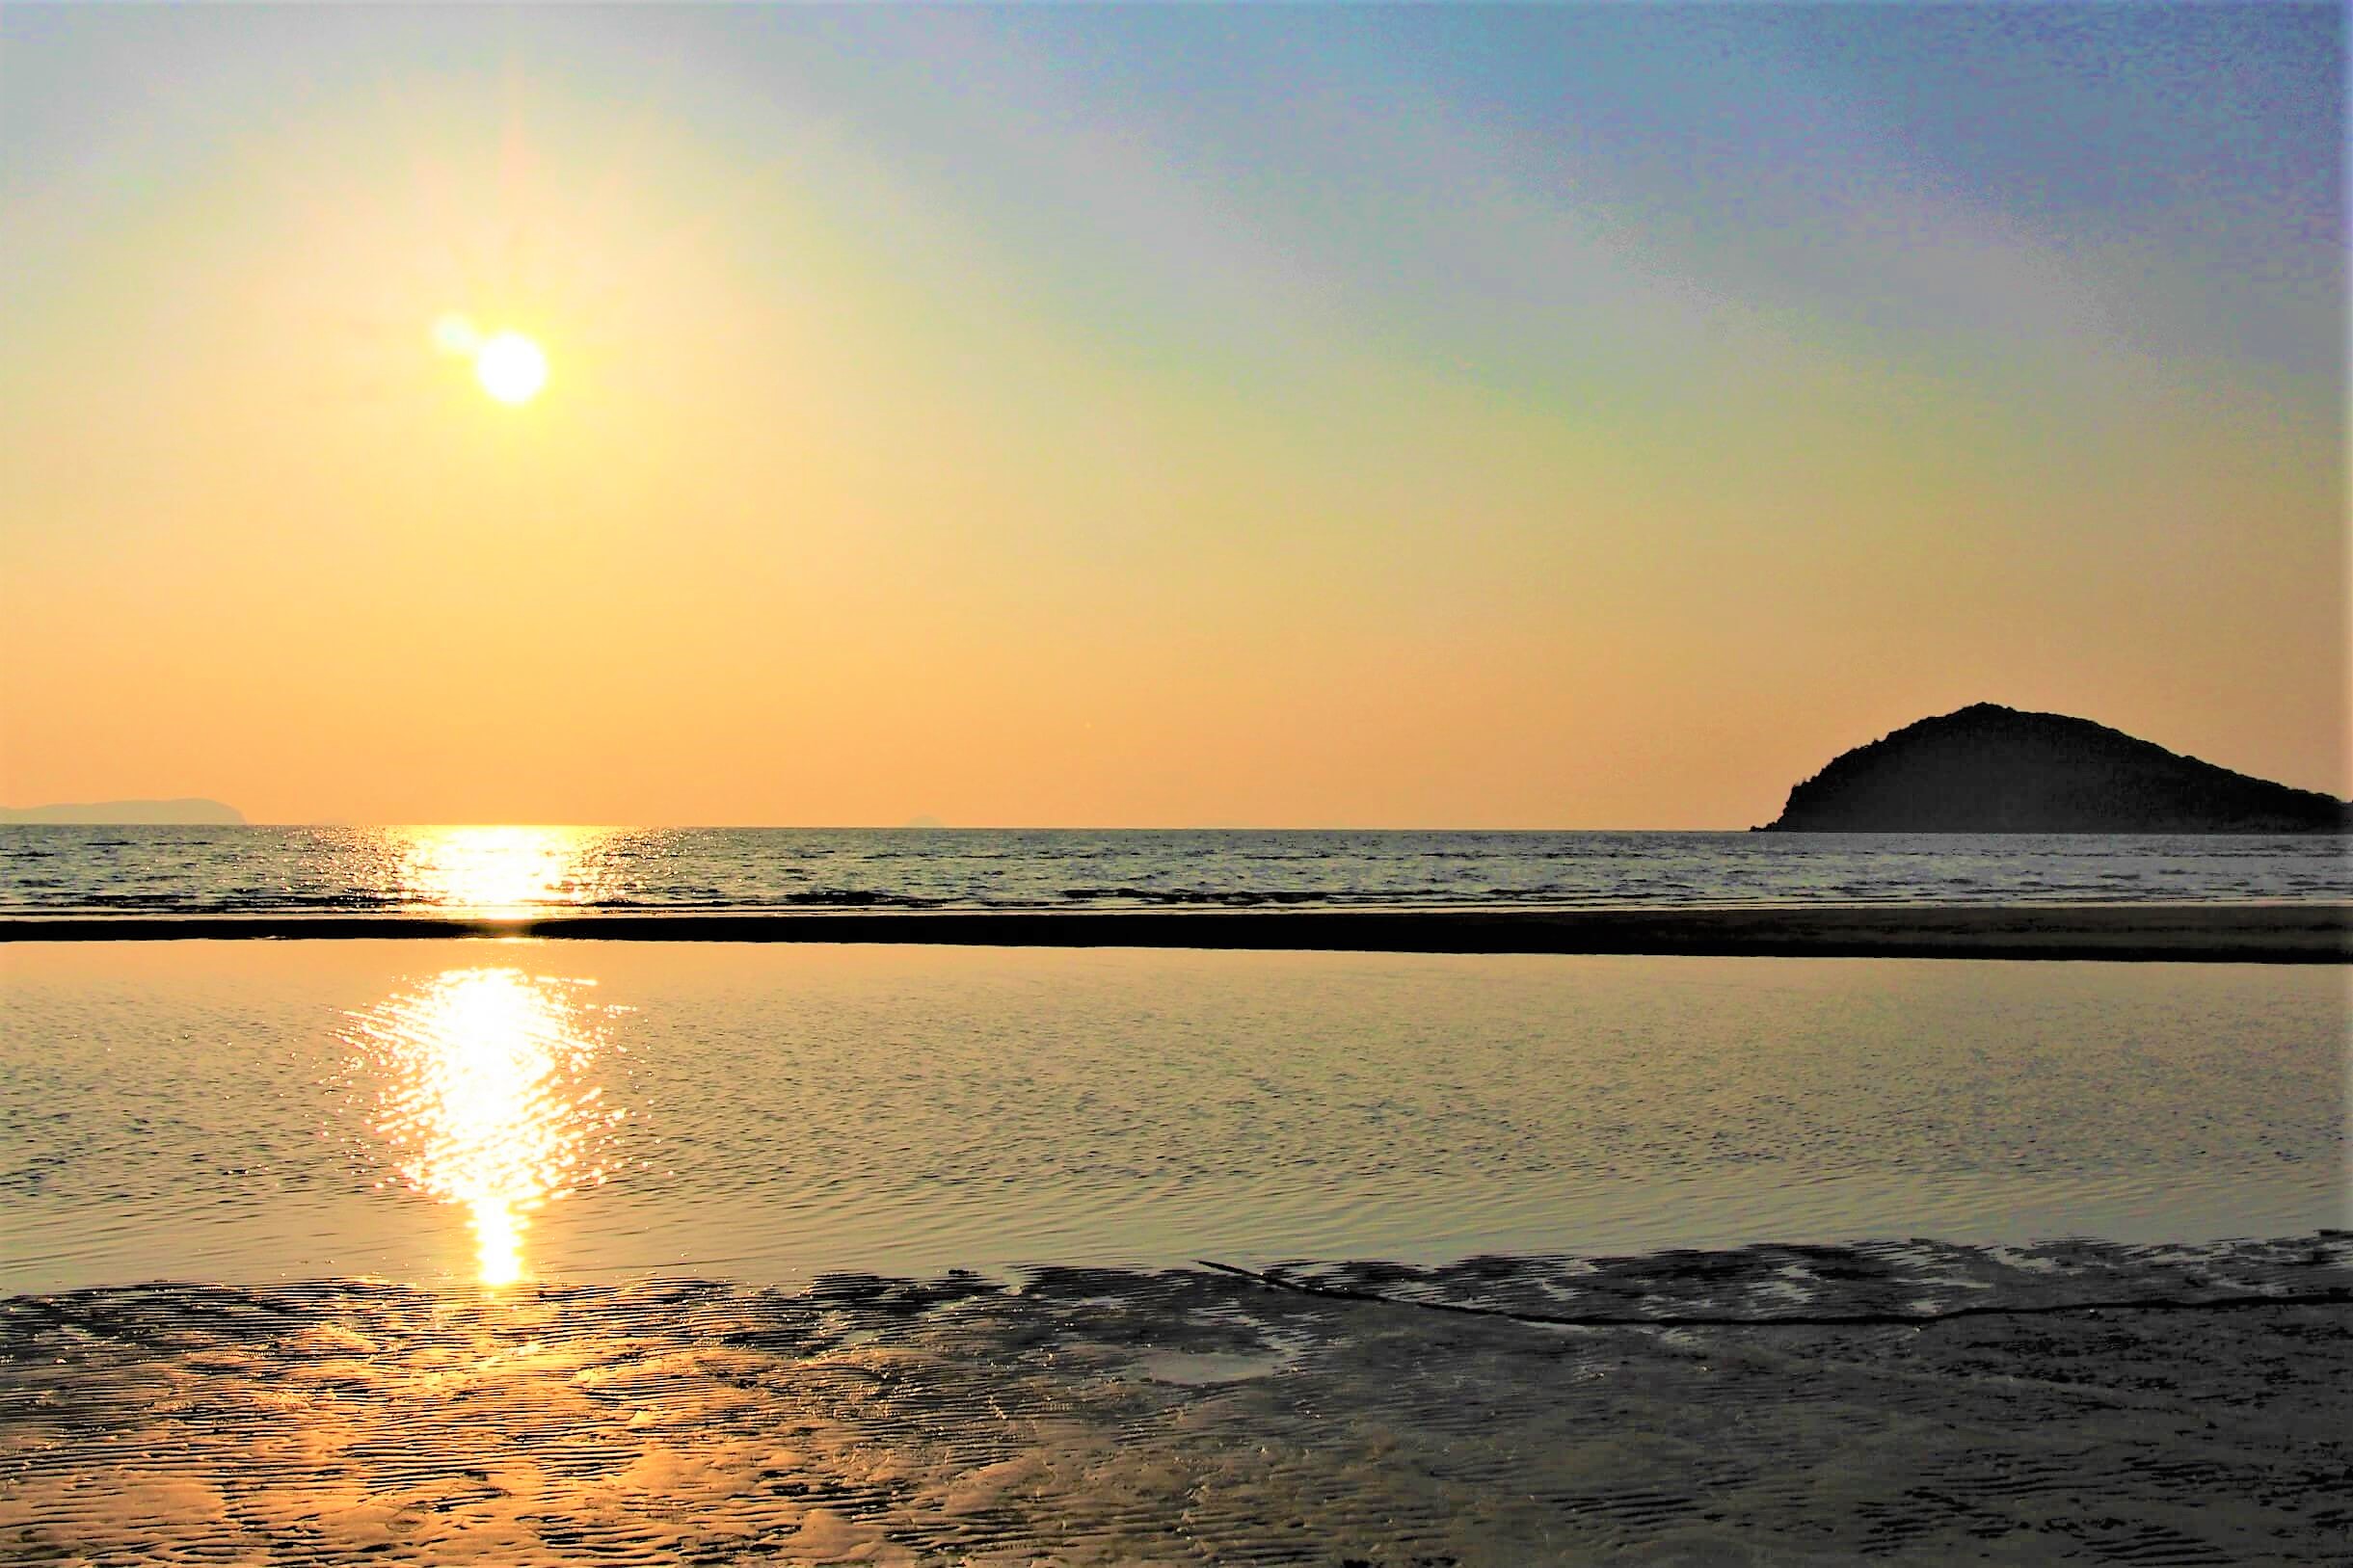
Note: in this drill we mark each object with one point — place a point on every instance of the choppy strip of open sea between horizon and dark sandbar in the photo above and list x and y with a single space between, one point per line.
253 871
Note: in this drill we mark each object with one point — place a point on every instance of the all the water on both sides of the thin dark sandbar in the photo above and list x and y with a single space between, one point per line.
782 1108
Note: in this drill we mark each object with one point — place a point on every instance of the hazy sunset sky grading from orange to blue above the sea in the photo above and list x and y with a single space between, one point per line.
1451 417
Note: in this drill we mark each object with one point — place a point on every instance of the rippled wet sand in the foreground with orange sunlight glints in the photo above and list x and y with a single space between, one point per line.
1098 1416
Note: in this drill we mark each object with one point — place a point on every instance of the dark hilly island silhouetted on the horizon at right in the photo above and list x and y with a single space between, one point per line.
1999 770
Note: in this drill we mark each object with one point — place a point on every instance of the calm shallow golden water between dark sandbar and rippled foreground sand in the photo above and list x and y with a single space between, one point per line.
432 1111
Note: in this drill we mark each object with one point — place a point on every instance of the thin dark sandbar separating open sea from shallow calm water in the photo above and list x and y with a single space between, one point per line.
2194 932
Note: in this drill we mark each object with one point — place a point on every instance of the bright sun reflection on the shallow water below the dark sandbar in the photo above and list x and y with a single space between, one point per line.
488 1101
